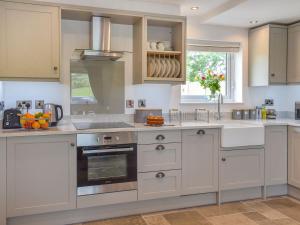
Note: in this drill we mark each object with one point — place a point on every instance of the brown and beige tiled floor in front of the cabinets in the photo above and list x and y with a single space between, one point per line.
274 211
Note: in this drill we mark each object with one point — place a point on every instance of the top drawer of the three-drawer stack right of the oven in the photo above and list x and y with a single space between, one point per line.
154 137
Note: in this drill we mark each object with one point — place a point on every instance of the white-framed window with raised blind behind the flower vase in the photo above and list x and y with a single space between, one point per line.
218 57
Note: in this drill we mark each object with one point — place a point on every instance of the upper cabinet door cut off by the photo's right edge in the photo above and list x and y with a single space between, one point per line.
293 74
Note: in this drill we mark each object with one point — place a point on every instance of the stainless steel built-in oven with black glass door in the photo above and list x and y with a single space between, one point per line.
106 162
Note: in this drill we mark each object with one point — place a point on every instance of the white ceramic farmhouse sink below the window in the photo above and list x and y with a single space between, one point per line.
242 134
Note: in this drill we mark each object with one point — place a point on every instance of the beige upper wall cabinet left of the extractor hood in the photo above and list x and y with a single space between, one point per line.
29 41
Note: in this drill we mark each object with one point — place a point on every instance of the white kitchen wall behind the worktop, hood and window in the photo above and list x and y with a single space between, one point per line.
76 35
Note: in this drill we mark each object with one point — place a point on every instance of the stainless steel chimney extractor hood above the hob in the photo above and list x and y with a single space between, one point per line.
100 41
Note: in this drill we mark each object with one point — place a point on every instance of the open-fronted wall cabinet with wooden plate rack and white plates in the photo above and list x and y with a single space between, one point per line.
159 50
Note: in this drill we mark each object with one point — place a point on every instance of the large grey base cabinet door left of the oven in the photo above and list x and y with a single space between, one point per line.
41 174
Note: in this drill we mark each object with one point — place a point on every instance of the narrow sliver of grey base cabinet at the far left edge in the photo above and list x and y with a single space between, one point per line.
2 181
